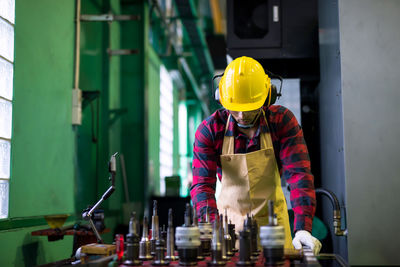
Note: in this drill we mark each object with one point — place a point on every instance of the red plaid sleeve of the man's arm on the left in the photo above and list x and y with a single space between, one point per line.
204 168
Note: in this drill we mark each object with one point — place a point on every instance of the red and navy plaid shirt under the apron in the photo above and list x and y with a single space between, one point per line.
290 152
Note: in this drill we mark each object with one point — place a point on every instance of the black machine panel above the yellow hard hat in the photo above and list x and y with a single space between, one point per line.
272 29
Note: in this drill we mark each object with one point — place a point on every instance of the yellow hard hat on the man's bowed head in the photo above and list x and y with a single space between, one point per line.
244 85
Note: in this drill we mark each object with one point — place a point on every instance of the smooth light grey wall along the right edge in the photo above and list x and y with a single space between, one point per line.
370 64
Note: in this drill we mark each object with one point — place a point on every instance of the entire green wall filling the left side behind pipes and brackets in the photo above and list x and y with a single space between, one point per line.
60 169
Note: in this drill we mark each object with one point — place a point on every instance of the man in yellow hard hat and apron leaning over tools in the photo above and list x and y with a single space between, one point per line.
249 144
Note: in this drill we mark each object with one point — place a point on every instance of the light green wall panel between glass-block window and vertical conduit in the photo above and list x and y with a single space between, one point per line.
42 146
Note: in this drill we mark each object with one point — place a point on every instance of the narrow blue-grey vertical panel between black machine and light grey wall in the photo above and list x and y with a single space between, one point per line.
331 121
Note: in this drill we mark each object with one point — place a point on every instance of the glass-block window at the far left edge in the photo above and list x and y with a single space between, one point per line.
7 16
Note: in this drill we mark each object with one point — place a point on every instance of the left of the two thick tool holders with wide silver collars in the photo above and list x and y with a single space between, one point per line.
187 240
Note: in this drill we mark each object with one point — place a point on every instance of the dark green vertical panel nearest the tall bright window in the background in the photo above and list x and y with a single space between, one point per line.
133 138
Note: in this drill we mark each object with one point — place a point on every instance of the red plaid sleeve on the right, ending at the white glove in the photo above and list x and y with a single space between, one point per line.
296 169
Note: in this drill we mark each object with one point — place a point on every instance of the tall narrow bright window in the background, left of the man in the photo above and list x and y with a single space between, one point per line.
166 127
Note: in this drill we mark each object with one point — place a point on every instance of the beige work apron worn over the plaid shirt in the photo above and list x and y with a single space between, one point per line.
249 180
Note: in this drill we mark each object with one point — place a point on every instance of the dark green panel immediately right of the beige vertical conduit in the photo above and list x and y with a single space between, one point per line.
92 53
